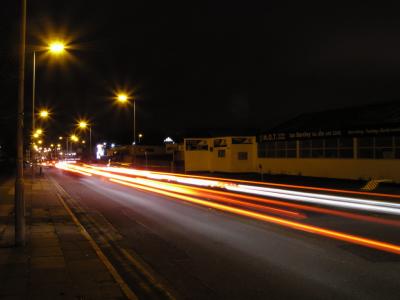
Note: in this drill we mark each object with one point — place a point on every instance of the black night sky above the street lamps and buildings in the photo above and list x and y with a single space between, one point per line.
196 64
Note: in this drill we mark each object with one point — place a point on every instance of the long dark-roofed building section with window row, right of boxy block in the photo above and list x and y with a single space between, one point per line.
354 143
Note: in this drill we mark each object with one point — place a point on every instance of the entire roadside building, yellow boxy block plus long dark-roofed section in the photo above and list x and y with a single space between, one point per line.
352 143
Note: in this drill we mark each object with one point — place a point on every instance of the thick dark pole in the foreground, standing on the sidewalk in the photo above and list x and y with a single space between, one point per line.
19 180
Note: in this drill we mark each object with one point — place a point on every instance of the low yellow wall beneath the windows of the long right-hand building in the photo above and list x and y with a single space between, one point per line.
333 168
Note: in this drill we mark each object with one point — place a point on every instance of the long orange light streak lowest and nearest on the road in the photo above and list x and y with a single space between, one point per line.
295 225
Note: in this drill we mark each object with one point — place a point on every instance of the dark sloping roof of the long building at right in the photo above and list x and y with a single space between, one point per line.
374 115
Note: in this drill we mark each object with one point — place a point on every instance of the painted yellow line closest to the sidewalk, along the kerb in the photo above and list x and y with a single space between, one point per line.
124 286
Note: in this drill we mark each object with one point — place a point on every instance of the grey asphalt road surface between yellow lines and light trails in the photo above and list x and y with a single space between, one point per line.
204 253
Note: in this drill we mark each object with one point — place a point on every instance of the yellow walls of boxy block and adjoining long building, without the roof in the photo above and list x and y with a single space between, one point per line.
315 167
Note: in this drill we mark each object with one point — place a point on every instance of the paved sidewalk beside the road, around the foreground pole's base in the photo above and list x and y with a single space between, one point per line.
58 262
